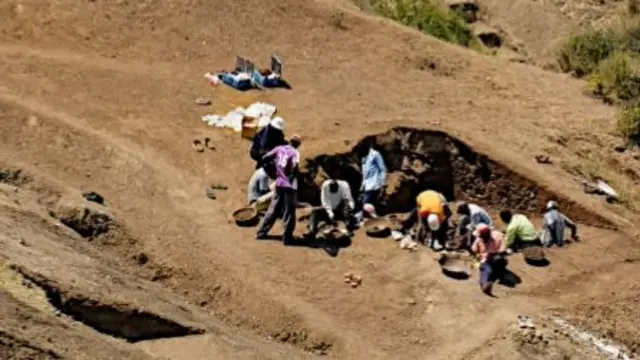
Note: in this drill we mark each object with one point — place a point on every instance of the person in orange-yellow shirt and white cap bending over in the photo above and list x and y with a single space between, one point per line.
432 213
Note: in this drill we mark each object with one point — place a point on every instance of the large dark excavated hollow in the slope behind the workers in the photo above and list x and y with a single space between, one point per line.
419 159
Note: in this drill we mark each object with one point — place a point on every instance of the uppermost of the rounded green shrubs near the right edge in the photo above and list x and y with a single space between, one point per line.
582 53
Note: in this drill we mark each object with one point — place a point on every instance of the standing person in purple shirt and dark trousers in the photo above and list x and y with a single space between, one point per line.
286 159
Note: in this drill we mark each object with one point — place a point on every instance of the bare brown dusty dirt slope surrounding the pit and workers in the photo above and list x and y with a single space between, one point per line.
98 96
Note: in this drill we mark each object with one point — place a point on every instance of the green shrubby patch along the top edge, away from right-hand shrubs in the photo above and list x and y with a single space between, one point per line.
428 18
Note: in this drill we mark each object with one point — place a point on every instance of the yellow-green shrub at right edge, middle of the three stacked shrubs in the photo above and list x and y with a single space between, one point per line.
617 77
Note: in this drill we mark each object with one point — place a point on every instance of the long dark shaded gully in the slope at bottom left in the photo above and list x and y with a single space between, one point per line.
121 322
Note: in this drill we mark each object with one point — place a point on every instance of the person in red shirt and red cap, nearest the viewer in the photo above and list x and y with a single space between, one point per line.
489 247
